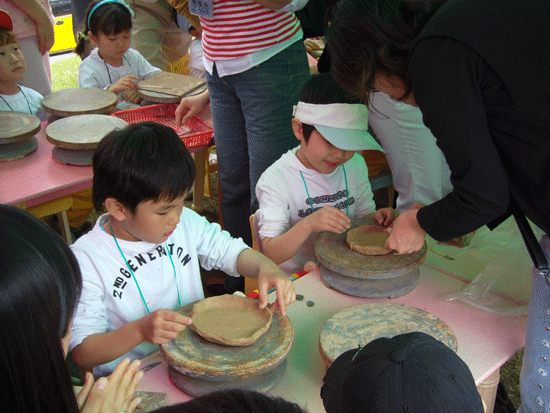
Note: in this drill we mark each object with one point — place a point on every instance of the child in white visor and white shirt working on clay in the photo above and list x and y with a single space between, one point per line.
321 184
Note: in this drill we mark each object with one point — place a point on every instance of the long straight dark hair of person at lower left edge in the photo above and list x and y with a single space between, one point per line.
40 285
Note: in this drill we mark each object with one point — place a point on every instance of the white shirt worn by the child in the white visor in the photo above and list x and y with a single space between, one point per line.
284 199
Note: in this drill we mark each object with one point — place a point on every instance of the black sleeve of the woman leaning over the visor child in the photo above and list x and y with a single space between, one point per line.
447 80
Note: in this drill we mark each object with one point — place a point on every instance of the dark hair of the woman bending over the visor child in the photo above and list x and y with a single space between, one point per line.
367 37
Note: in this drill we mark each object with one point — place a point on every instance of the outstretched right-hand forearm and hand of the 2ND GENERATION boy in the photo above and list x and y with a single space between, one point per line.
253 264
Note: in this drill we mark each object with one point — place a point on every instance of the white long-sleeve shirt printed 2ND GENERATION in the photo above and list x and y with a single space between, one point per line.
110 296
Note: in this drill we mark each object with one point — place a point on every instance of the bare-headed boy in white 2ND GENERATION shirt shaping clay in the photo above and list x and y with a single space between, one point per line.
141 261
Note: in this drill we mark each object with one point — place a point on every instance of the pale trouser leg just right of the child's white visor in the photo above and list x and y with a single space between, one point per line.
420 172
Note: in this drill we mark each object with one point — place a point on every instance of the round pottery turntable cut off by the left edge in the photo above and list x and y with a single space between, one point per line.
17 135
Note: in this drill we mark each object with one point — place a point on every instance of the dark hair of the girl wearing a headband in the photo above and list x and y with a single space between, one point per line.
110 18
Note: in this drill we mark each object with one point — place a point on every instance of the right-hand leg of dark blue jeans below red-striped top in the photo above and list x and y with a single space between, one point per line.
268 93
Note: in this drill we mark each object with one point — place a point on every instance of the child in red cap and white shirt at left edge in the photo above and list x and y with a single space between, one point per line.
14 97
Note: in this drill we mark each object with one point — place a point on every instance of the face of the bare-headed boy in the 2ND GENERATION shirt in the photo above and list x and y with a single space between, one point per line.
153 221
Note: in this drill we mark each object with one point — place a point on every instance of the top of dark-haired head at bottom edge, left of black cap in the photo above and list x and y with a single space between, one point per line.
234 401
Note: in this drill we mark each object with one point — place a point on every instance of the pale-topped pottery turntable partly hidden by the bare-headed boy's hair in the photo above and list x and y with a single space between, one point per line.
77 137
